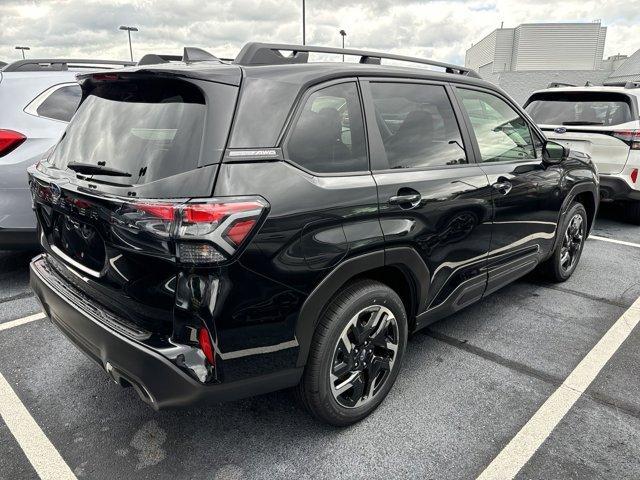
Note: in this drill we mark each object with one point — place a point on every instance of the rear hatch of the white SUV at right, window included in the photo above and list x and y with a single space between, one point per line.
595 123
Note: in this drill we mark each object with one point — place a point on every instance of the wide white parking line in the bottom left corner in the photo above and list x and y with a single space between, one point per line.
34 443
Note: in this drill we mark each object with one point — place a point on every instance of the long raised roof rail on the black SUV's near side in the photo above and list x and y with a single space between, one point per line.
255 53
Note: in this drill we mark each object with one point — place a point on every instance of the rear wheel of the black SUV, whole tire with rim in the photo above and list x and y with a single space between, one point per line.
364 306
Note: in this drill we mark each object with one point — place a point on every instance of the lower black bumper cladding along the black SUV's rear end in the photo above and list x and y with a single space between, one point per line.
150 371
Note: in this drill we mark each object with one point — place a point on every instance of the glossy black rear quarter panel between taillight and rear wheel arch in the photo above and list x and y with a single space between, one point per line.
313 223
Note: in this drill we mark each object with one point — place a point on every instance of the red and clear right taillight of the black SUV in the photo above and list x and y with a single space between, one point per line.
204 232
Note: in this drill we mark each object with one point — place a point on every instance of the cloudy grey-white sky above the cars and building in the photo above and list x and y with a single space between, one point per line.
437 29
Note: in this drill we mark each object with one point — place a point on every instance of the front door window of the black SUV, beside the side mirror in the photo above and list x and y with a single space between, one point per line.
501 132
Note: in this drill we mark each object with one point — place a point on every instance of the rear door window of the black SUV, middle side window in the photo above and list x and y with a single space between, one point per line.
418 125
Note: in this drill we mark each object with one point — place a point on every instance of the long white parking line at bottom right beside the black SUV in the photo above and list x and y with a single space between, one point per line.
522 447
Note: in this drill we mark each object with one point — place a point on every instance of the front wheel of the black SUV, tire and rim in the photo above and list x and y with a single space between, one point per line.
556 268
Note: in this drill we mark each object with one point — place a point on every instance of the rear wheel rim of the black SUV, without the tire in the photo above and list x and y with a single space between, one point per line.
364 356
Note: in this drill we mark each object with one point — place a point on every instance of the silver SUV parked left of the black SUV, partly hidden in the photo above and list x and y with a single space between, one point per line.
38 98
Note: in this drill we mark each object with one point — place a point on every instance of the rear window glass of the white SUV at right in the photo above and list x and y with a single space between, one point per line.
580 108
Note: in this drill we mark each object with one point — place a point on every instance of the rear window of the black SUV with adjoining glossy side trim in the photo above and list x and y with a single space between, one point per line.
148 128
